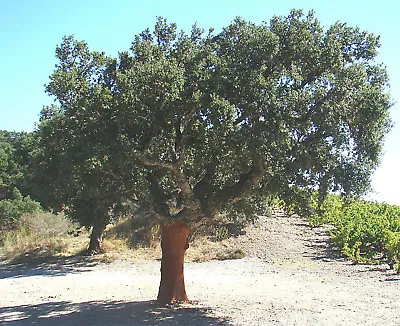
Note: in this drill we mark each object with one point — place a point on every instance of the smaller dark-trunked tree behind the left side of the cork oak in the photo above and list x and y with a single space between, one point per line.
77 175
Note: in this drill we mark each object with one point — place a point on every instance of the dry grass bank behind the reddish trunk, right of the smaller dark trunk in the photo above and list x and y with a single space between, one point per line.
139 239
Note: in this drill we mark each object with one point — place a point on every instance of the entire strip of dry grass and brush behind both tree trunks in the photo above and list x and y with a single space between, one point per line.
46 235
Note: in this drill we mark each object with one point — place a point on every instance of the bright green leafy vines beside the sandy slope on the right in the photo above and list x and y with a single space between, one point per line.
366 231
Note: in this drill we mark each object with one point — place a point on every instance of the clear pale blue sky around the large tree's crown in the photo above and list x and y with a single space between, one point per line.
30 31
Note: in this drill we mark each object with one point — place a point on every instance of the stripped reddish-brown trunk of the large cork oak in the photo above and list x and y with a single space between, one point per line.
174 243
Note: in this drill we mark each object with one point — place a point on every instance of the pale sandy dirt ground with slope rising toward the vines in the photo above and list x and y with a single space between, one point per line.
290 276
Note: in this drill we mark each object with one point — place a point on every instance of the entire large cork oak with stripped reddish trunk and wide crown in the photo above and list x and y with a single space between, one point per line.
203 124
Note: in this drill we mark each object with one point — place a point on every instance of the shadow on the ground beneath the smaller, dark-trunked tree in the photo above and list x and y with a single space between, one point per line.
47 267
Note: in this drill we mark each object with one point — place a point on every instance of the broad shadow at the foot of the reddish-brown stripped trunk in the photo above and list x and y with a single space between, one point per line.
108 313
